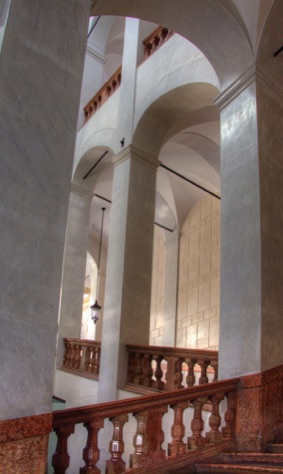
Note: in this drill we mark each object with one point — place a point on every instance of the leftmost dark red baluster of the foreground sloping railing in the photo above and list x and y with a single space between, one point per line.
61 457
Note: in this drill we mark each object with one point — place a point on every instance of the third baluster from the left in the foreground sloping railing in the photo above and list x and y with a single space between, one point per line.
115 464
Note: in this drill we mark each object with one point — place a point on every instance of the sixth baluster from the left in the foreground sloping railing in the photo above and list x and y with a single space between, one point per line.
177 446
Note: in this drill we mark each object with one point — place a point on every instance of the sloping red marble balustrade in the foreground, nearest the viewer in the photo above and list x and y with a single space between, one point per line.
148 453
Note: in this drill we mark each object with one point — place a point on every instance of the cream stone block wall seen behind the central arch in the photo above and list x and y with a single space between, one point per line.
199 279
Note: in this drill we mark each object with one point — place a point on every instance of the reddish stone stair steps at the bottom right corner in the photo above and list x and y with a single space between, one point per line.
237 463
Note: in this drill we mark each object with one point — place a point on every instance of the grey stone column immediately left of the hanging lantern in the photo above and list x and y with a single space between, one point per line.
74 266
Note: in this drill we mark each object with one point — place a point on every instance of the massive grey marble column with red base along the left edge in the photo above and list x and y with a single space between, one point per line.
41 66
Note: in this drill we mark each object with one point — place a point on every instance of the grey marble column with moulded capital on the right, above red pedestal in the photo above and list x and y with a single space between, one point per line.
251 322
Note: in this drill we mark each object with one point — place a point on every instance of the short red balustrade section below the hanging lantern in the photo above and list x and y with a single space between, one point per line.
82 356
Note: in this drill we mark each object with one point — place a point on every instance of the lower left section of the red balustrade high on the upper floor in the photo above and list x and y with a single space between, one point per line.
103 94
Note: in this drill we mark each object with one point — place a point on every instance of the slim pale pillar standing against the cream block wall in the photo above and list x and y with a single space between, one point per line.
170 290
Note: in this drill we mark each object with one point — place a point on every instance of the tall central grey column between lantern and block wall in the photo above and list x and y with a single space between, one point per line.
129 266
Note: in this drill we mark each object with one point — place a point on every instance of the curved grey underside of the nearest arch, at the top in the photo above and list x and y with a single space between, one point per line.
211 26
